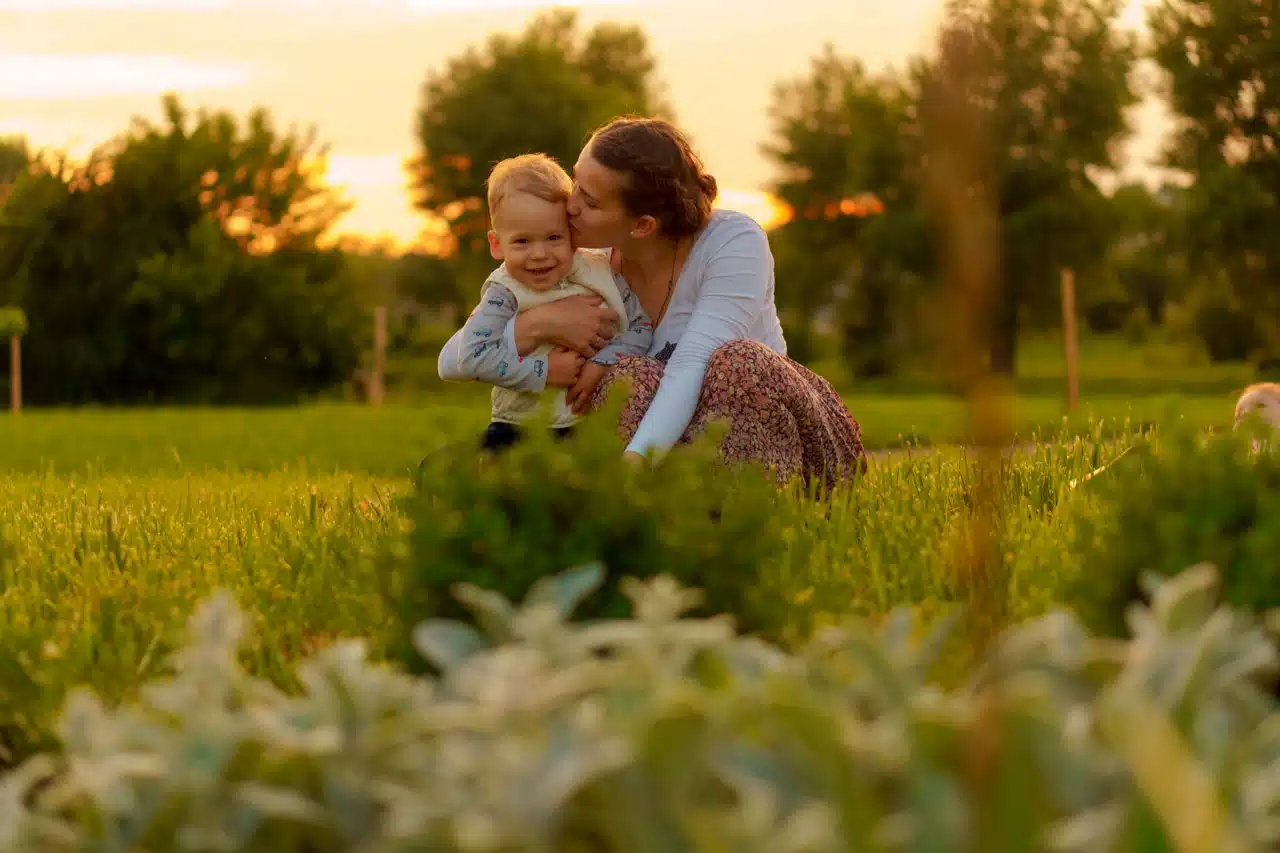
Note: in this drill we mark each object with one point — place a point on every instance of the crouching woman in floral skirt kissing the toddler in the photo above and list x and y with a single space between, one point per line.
706 280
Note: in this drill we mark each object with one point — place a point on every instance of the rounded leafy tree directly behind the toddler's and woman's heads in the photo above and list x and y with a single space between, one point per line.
542 92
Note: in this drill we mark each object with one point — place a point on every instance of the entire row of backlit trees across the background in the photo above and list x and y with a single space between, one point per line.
191 259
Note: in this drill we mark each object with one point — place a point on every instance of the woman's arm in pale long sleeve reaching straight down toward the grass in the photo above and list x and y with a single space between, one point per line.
730 298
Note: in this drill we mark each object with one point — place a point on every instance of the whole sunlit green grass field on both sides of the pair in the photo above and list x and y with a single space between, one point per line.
115 523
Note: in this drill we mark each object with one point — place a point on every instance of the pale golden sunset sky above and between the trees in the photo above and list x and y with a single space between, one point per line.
74 72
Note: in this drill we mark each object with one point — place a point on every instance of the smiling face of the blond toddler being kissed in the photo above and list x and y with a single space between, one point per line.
532 238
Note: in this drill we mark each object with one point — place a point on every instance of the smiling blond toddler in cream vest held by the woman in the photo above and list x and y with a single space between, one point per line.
531 236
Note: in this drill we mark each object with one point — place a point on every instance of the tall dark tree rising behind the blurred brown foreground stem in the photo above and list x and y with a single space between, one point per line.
1049 81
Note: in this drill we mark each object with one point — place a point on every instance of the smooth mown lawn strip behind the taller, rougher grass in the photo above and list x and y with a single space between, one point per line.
390 443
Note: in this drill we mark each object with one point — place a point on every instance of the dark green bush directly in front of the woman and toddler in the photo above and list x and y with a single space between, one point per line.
505 523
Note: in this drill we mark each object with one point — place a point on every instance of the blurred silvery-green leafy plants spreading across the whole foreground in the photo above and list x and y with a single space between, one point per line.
675 735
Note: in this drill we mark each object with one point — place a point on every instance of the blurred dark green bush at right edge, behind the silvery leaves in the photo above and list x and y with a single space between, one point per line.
1190 500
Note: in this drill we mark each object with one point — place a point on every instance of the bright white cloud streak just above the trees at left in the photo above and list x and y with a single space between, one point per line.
47 77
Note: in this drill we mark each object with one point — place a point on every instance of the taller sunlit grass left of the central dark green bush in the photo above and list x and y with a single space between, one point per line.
99 576
